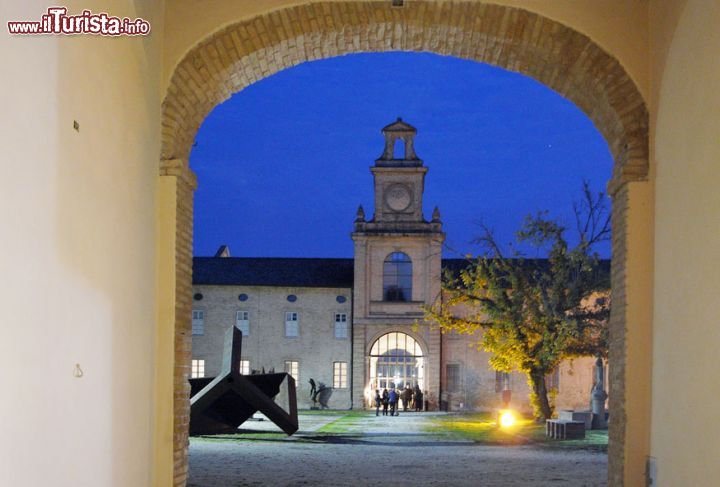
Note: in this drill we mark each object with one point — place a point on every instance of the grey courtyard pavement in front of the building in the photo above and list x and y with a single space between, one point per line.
332 449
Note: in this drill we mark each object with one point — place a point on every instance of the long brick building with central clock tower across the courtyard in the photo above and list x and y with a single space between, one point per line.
357 324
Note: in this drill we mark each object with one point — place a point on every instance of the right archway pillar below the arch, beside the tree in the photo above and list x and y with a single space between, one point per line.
630 355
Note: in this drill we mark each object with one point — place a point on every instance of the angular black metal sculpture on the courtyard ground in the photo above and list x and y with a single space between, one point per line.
221 404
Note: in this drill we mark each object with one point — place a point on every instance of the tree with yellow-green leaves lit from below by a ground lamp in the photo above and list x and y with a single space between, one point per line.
534 313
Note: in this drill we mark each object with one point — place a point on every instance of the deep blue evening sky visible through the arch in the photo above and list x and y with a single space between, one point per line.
283 165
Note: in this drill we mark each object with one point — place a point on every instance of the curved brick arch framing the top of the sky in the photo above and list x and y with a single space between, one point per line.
555 55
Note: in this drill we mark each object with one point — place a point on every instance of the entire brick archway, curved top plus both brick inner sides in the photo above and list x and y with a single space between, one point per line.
561 58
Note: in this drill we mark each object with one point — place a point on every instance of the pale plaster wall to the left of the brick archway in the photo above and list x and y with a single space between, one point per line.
77 252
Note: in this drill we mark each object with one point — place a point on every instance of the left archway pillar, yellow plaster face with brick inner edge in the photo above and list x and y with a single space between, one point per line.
173 338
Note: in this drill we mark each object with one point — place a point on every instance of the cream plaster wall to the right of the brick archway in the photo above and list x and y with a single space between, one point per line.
685 430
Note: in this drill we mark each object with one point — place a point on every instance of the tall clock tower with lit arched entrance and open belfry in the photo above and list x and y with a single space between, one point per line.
397 271
